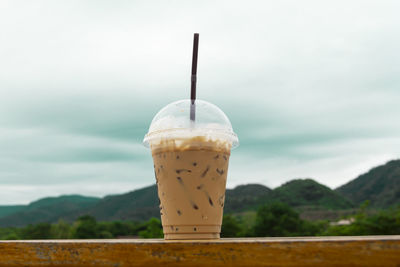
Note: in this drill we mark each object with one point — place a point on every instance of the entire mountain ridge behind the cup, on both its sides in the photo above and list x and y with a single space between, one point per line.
381 185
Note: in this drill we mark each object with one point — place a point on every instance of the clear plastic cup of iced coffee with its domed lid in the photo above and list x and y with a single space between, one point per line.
191 165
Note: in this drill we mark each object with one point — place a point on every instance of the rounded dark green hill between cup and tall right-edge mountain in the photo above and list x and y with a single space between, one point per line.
309 193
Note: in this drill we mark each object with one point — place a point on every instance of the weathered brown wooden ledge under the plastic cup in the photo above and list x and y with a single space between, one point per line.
314 251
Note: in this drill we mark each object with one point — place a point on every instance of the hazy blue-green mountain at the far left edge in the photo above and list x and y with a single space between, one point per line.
49 209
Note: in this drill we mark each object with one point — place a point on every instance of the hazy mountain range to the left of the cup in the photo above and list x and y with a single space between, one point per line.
138 205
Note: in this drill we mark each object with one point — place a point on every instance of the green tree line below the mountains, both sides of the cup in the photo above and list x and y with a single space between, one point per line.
273 219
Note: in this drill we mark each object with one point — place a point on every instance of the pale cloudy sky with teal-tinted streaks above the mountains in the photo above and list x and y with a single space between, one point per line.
312 89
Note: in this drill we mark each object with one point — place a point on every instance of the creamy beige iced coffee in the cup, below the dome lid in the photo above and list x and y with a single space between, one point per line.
191 177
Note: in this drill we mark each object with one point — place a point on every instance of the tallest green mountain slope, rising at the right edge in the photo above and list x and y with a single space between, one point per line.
381 186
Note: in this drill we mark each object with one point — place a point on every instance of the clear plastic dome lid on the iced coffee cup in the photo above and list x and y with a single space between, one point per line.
173 121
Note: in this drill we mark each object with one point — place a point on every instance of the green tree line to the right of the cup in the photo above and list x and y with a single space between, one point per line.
278 219
